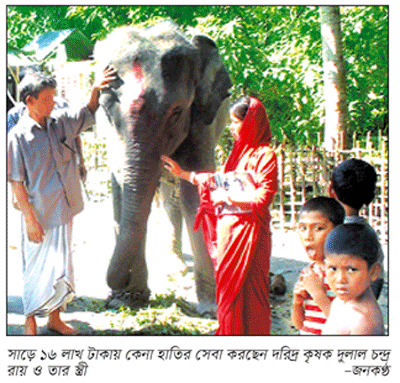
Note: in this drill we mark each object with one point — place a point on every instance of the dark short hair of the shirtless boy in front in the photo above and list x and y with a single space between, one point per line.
353 239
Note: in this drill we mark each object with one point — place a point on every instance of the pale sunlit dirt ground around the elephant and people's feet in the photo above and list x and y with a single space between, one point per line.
93 245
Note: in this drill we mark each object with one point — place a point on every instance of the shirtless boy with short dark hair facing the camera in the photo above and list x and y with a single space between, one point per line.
352 264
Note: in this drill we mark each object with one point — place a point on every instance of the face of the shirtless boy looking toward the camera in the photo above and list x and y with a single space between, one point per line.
348 276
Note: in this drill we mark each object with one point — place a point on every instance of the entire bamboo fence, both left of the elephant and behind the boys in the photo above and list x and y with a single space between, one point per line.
304 173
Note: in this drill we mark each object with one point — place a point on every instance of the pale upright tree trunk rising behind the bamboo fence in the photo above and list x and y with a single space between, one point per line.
336 115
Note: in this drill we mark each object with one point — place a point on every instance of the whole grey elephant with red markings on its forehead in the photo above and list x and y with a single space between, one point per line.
171 97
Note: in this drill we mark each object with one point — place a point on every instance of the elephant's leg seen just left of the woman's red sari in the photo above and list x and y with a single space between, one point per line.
203 268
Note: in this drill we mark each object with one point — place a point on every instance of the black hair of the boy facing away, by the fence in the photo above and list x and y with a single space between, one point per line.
354 183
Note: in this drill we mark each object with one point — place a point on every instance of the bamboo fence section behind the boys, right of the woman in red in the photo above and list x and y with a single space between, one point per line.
304 173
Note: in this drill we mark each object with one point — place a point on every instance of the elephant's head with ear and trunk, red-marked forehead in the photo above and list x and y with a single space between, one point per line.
167 94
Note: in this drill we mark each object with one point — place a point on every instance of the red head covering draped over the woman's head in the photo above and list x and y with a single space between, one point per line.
254 132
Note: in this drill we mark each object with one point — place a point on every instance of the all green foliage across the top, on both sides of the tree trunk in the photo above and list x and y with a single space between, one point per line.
271 52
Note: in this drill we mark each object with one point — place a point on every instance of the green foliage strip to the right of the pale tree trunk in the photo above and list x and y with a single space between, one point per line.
365 37
